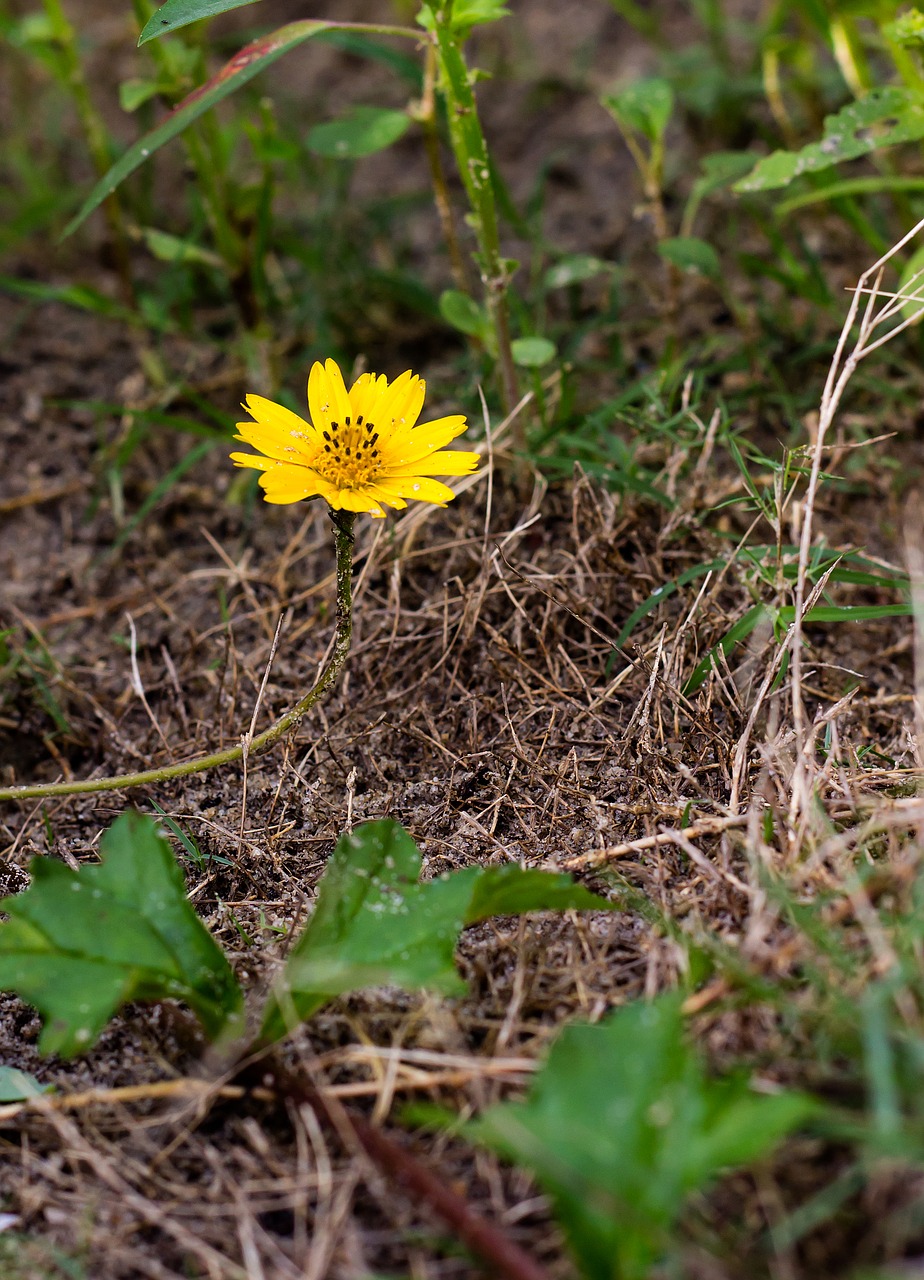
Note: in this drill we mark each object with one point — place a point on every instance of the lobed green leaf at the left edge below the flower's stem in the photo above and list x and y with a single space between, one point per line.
81 944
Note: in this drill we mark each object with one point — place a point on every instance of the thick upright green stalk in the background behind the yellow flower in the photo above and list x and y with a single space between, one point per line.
474 166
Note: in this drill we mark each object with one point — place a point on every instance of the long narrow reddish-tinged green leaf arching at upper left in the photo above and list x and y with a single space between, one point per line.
243 68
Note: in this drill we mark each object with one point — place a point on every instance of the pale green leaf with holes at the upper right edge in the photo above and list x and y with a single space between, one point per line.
881 120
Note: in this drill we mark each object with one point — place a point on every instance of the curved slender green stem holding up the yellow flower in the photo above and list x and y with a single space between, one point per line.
344 540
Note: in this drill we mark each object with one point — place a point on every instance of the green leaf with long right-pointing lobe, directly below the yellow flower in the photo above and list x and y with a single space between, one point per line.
377 925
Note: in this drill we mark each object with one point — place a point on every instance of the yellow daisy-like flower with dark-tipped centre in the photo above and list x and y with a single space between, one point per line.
363 449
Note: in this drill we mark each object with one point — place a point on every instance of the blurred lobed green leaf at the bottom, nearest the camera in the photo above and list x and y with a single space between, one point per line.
623 1126
